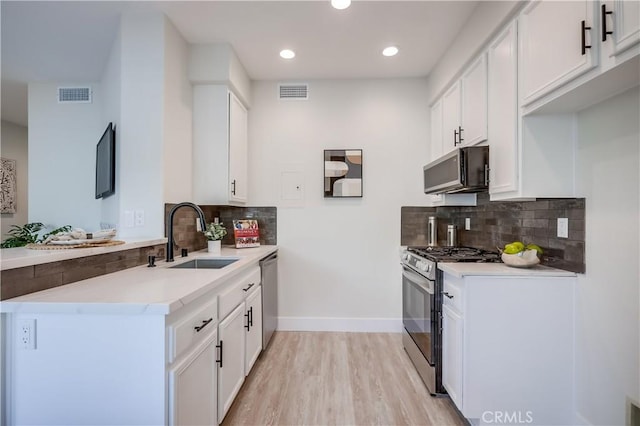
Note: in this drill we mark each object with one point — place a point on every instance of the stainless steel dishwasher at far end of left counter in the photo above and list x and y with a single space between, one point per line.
269 270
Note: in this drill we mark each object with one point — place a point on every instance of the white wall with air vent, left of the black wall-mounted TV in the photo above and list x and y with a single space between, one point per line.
62 144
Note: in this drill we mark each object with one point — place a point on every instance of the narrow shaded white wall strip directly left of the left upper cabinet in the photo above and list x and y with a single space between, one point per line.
178 115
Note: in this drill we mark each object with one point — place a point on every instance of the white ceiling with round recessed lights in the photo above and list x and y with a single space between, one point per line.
69 42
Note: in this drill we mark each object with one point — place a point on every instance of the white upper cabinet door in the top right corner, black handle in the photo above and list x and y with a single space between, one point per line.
620 25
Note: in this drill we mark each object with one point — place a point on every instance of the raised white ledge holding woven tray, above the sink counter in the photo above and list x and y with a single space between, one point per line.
19 257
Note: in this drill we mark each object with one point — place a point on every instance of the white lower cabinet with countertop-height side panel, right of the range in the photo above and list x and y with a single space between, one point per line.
508 347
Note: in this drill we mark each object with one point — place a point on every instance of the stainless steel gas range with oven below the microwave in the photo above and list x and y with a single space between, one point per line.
422 305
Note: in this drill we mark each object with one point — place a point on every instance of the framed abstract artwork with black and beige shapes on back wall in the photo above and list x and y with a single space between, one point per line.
342 173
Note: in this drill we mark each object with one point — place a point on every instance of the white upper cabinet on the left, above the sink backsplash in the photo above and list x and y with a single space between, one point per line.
219 146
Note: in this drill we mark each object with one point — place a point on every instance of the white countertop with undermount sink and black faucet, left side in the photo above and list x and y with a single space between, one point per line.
139 290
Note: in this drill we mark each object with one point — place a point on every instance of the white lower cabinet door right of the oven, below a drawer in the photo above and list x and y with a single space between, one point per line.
452 361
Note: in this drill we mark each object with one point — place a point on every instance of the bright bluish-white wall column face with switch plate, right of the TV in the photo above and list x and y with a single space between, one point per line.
141 129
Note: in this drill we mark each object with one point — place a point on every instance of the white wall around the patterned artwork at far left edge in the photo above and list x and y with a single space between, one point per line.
14 147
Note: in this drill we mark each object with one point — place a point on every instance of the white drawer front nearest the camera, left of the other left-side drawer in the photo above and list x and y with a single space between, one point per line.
193 328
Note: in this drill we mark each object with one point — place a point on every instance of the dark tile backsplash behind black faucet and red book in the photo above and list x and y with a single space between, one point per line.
186 235
